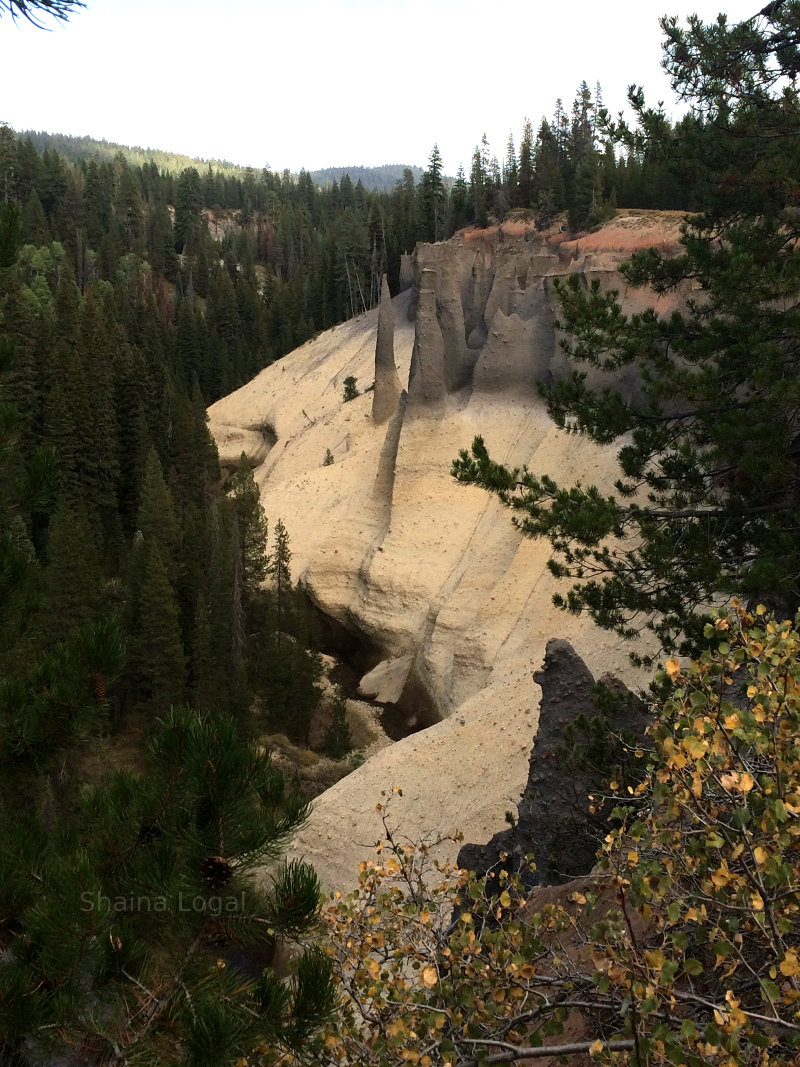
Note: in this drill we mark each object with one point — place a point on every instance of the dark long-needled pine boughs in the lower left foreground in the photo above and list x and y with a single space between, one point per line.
138 930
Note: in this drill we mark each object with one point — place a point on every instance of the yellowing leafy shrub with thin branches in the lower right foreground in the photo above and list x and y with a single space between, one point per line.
682 947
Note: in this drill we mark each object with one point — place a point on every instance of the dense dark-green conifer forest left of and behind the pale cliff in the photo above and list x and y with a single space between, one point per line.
137 580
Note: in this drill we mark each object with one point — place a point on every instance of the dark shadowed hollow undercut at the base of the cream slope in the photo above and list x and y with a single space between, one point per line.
358 654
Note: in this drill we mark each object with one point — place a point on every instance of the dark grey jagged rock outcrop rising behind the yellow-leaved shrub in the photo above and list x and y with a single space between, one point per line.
554 820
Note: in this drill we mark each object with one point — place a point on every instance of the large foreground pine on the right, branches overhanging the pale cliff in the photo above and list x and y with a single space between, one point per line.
708 504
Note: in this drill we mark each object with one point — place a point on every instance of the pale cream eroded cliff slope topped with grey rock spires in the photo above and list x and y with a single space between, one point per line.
426 585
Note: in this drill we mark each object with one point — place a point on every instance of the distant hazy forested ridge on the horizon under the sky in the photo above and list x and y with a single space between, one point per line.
72 148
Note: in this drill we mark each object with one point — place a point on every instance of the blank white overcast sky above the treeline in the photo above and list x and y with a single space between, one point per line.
330 83
